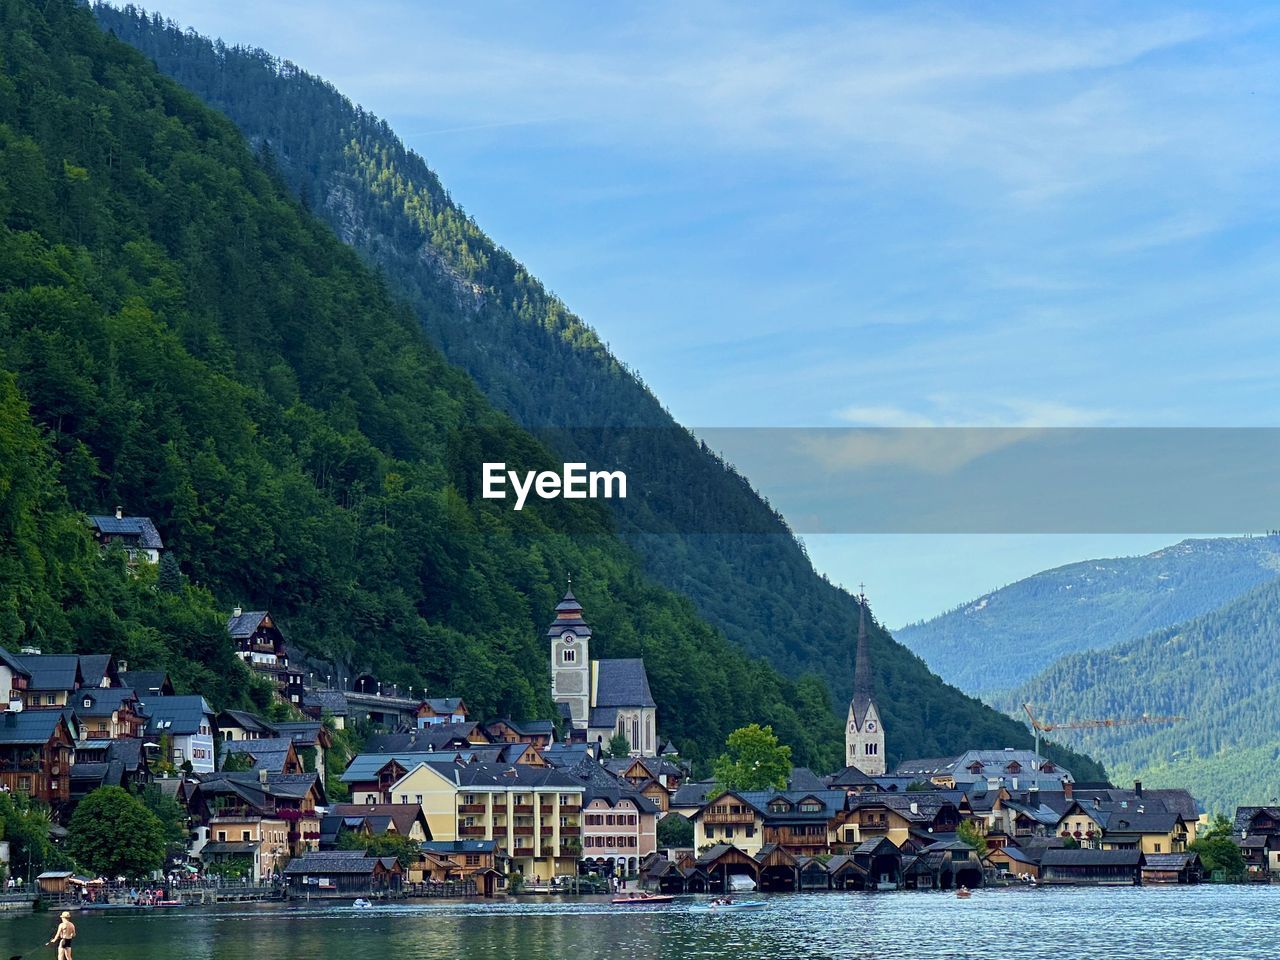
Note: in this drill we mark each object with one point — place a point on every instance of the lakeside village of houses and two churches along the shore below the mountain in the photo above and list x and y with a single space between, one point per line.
440 803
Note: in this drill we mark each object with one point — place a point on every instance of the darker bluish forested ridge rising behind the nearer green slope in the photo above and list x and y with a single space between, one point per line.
700 528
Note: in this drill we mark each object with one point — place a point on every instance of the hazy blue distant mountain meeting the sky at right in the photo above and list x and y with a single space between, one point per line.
1007 637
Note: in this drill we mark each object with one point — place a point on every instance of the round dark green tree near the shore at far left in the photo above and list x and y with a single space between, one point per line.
113 834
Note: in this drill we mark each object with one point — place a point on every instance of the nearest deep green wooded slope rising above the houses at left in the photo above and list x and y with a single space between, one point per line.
191 344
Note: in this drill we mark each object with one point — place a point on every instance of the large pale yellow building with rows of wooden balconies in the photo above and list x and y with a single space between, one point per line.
533 813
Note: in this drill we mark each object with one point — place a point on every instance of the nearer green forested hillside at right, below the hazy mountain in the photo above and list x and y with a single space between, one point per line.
1220 671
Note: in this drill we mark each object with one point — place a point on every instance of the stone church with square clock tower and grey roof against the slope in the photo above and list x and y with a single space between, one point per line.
600 700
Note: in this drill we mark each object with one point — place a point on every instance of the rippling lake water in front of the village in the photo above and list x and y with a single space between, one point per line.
1022 925
